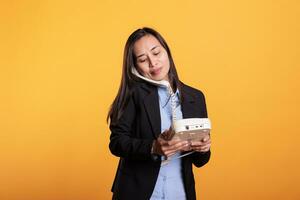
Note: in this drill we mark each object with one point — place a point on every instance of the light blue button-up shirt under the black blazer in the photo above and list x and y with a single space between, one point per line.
169 184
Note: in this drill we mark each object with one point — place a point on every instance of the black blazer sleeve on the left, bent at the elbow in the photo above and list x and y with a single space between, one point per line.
122 143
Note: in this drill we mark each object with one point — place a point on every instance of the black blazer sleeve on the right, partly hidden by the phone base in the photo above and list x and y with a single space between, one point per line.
198 158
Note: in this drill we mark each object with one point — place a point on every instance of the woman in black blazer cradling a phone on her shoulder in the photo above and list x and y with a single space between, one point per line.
139 114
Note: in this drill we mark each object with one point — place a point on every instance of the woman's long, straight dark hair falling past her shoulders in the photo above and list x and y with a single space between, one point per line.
129 79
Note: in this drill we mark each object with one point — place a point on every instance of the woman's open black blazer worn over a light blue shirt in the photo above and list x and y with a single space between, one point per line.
132 137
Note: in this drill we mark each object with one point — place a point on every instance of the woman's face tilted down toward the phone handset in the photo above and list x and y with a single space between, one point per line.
151 58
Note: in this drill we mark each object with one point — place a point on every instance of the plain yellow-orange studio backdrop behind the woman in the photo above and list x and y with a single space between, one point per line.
60 70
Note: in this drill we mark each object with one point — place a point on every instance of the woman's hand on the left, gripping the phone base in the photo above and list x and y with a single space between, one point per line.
166 147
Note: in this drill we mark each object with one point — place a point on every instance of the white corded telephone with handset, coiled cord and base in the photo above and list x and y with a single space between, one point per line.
185 129
